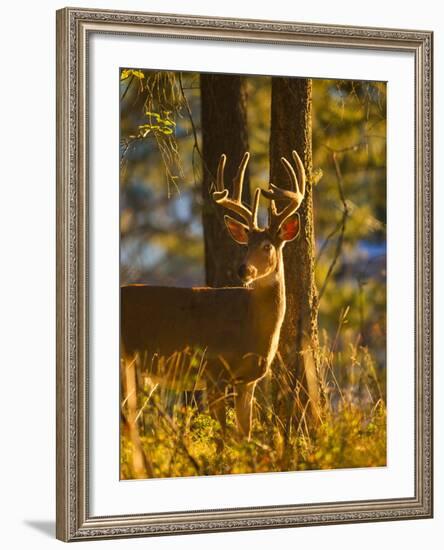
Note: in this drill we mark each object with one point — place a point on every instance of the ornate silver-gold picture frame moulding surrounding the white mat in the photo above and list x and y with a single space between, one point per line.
74 521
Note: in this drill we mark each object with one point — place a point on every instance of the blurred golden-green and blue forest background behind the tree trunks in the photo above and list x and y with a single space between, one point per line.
160 177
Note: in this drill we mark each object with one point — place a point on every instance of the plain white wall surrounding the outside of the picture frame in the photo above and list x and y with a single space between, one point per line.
27 233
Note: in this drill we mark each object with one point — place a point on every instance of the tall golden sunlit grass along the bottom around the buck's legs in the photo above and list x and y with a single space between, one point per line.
178 437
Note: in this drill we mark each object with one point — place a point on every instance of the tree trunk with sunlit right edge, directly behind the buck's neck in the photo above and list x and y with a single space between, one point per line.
291 129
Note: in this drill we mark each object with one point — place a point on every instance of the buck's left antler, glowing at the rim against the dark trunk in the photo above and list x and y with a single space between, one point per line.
221 197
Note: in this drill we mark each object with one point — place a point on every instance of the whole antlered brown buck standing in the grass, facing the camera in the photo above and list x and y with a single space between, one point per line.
236 329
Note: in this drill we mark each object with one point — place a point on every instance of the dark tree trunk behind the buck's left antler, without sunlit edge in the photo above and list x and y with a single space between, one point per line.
224 130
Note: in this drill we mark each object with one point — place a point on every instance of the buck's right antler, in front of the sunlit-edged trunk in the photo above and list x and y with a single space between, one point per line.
294 197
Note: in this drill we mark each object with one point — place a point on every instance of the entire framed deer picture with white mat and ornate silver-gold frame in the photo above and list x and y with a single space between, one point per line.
244 271
